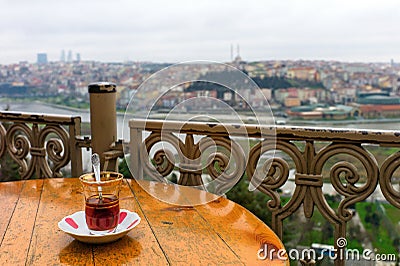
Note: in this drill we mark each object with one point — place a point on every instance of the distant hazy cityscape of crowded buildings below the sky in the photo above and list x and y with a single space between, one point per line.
304 90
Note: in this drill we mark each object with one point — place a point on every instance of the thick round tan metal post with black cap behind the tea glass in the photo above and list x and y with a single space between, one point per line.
103 119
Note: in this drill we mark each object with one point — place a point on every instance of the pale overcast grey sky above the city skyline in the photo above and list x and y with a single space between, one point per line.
178 30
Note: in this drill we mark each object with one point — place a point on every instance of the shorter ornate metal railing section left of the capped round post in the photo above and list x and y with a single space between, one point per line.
41 145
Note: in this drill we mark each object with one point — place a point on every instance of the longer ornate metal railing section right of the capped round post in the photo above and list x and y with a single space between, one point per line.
354 176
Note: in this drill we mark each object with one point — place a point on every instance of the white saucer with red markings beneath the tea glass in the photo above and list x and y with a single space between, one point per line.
75 226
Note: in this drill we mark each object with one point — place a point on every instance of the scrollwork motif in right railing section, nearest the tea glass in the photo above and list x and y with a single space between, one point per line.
160 162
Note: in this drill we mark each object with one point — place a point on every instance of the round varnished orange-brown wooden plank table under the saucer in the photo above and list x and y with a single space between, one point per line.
219 232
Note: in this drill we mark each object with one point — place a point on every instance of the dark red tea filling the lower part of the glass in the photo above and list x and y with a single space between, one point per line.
102 214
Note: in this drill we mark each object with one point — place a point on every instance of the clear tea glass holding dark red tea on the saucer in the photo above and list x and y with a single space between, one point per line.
101 201
